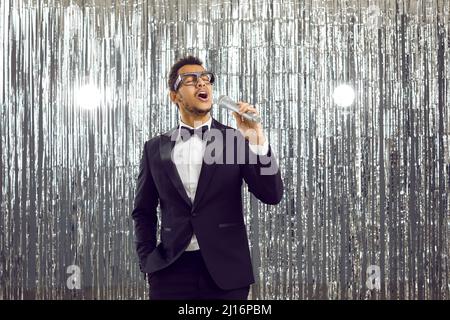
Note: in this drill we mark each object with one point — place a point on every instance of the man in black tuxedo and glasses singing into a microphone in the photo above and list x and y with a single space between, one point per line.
204 251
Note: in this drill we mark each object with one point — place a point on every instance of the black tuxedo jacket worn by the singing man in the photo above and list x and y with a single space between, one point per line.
215 216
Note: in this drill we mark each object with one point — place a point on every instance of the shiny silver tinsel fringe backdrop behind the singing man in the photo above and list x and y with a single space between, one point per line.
366 208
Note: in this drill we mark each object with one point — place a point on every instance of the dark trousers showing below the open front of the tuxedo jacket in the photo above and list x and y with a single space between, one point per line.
188 279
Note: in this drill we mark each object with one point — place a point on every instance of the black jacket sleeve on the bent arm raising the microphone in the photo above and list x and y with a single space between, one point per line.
262 175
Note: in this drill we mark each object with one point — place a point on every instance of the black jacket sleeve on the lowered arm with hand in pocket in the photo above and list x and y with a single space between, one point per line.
144 212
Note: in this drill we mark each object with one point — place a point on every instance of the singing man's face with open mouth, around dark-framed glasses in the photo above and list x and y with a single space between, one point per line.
194 99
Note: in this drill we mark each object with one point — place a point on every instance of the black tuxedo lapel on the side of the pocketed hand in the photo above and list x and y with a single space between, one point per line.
166 146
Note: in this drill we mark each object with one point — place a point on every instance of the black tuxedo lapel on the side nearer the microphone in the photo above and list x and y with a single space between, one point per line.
207 170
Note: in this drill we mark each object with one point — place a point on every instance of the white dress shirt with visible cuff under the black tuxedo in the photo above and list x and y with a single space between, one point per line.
188 159
